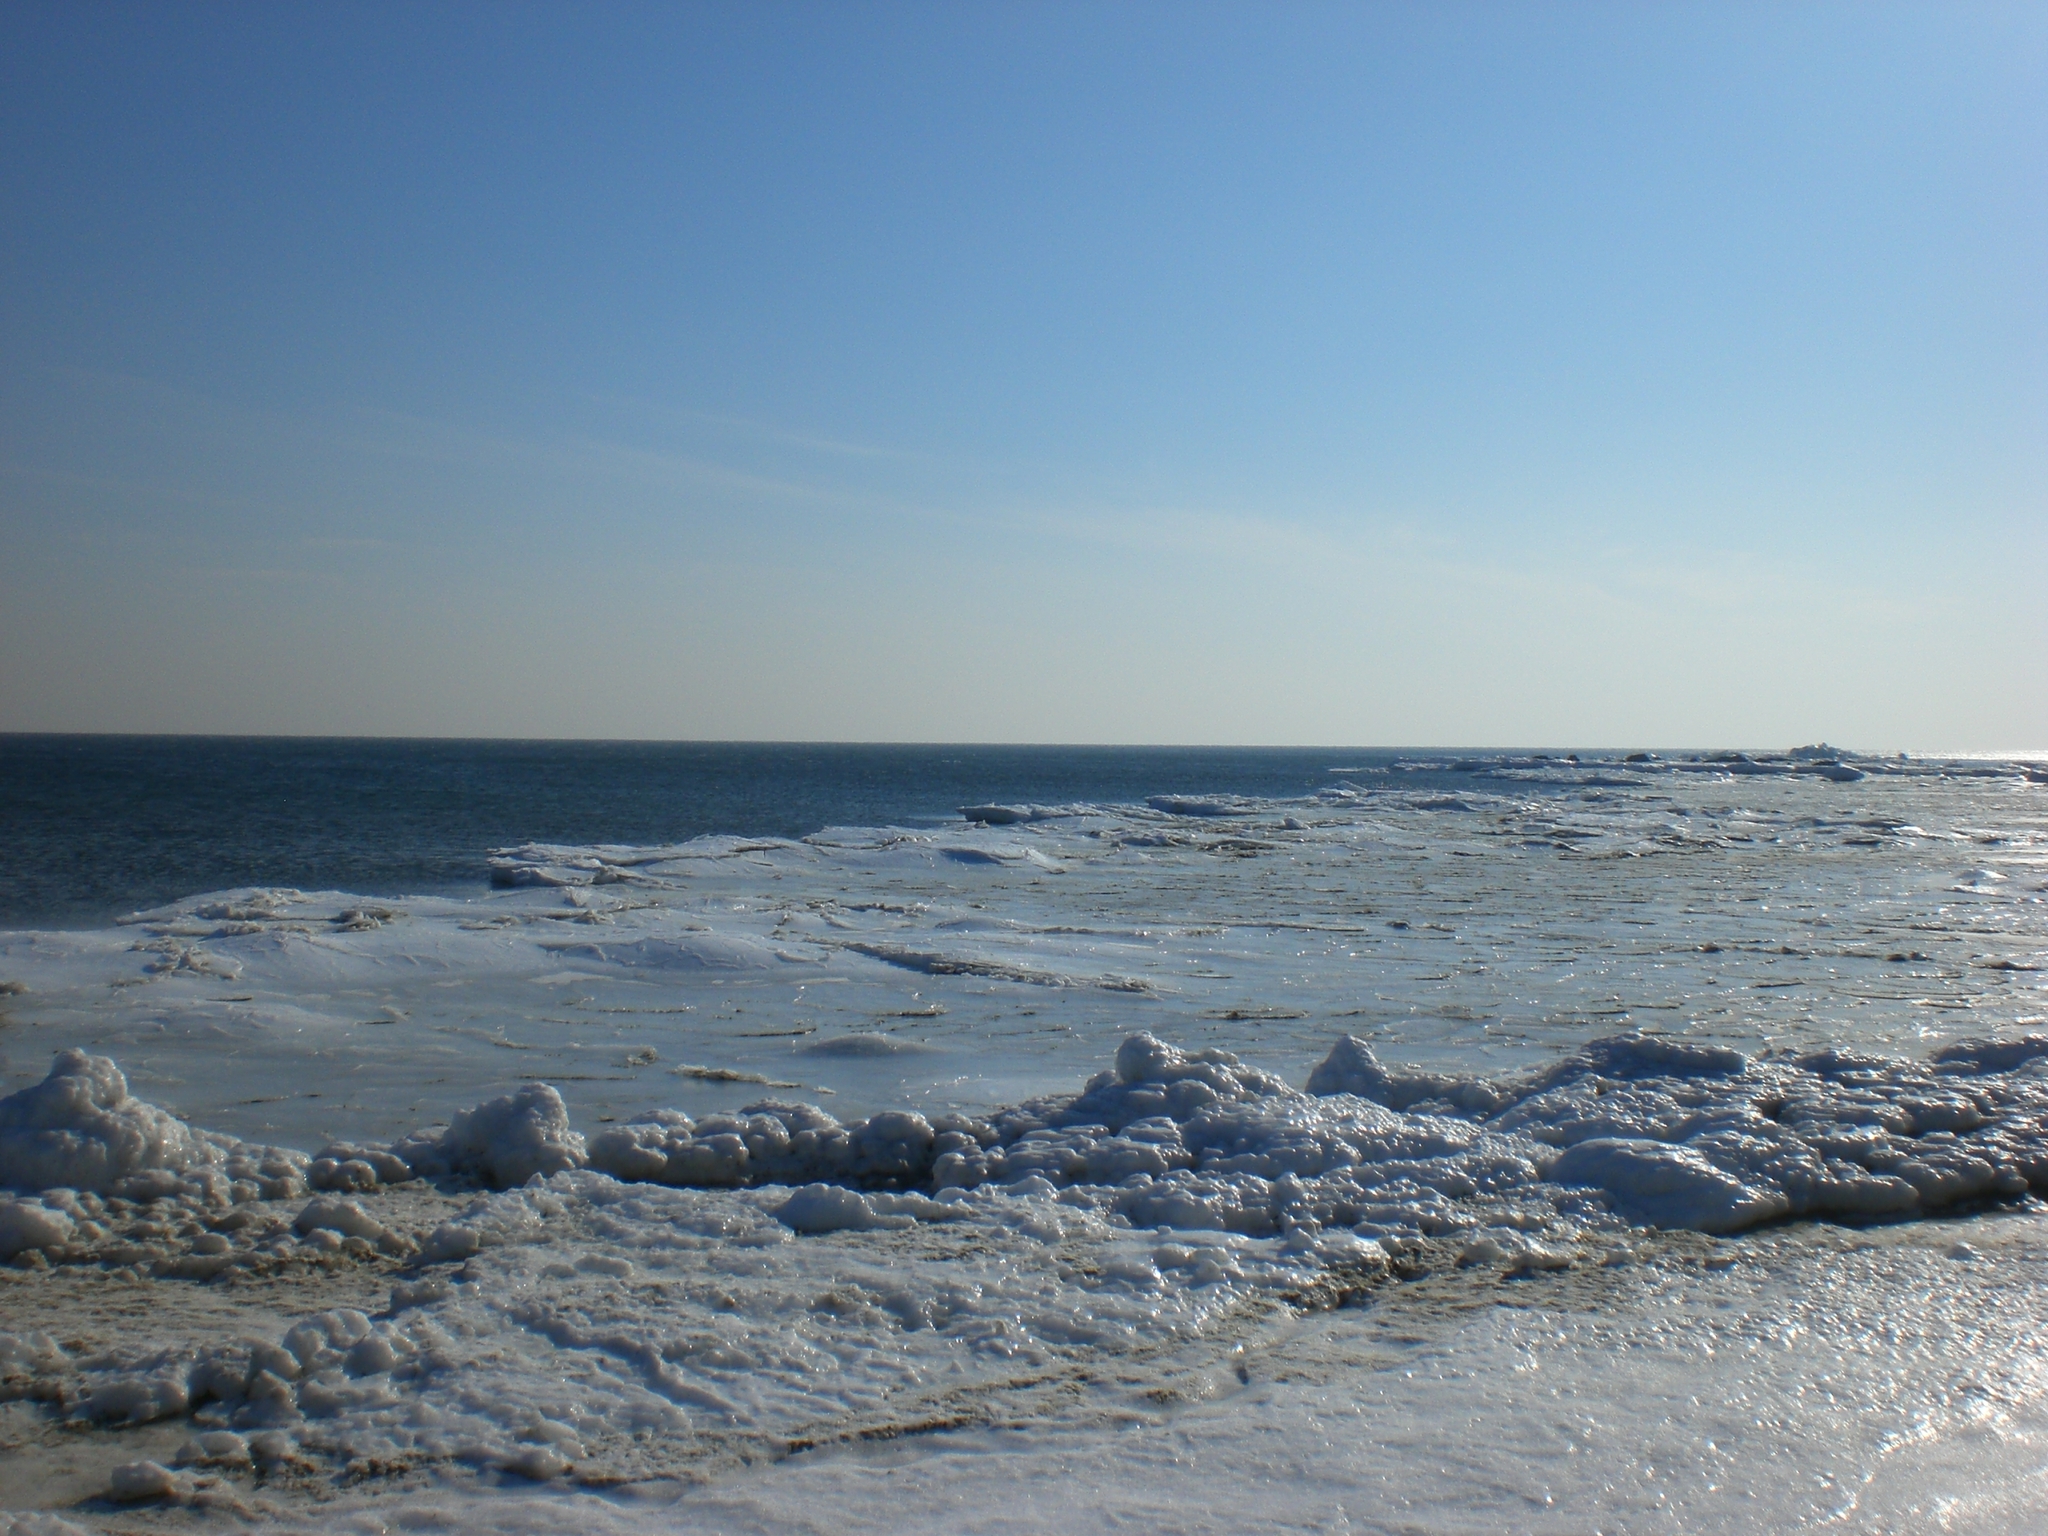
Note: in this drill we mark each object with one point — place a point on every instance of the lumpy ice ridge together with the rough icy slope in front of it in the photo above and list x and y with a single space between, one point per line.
1170 1193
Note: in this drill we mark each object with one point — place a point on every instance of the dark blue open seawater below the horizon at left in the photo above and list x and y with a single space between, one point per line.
97 826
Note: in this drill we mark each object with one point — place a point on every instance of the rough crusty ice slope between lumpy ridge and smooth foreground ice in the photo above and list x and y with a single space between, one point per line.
589 1322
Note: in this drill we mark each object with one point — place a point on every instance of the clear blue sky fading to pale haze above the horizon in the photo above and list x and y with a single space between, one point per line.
1371 374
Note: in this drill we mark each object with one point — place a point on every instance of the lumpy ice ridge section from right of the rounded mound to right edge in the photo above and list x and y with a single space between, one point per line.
1627 1129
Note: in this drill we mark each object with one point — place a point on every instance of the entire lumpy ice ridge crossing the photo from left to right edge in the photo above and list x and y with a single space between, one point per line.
1627 1129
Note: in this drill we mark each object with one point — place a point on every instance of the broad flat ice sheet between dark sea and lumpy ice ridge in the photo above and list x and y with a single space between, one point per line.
1512 898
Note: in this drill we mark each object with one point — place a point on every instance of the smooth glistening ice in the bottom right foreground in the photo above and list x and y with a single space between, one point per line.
1777 1394
